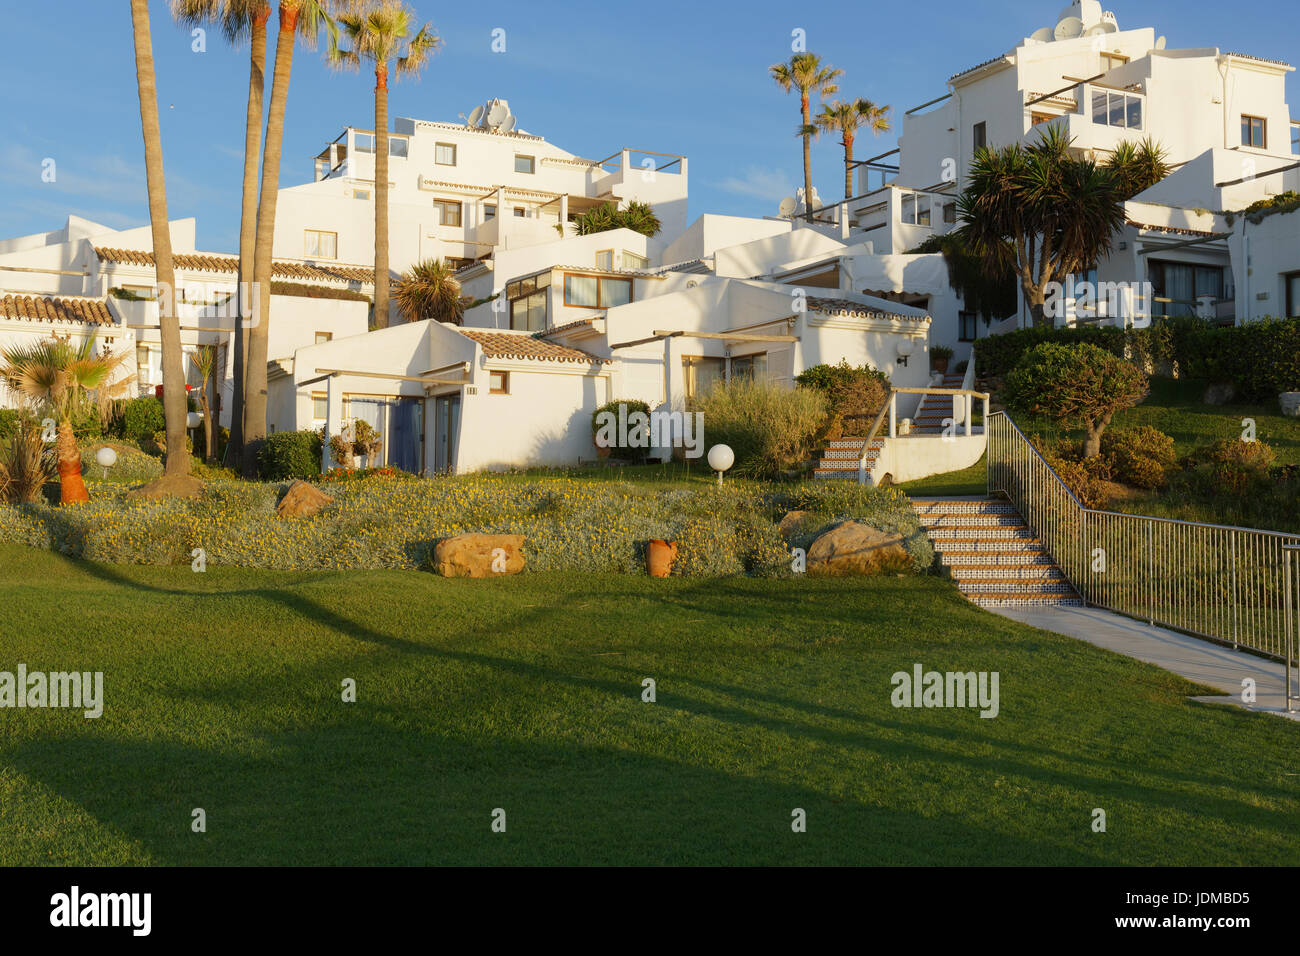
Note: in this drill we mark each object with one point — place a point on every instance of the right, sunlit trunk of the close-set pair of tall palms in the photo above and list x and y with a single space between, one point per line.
255 392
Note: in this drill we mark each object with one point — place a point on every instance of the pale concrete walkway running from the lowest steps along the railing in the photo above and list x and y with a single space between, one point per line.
1197 660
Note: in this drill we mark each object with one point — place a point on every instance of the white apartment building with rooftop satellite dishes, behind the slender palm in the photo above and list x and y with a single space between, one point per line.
466 192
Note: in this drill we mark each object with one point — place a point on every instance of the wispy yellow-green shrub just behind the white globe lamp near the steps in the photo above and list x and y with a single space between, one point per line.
770 429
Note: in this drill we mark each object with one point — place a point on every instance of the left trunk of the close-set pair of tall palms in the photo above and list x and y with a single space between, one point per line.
249 226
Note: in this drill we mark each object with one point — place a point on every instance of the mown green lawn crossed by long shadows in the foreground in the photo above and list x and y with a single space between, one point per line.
223 693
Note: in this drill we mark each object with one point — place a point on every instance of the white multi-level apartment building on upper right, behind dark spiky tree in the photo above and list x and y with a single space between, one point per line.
1221 116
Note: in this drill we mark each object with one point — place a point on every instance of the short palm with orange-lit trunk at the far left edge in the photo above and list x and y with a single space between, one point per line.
66 382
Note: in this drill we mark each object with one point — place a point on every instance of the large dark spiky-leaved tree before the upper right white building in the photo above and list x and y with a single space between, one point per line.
1042 213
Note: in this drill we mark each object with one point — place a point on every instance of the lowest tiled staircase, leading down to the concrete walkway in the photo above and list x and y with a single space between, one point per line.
993 556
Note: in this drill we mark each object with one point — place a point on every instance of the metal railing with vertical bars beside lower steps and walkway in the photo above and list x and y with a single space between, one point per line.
1236 586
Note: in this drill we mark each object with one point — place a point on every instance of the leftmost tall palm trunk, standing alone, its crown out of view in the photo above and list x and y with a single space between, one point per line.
175 406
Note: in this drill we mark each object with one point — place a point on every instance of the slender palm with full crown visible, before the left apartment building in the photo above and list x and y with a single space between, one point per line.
380 32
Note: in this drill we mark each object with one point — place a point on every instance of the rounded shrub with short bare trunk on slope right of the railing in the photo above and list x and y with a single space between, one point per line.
1078 384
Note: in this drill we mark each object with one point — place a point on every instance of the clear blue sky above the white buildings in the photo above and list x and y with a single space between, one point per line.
591 77
